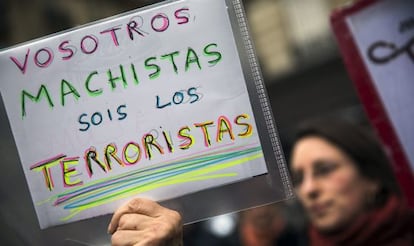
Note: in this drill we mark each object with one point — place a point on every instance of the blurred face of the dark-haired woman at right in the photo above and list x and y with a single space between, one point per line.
328 184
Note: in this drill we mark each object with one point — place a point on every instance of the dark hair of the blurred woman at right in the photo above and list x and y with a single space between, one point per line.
361 146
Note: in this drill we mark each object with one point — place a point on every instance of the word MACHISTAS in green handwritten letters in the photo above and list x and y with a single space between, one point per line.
93 85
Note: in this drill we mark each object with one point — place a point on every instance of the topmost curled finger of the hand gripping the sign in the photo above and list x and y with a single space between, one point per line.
138 206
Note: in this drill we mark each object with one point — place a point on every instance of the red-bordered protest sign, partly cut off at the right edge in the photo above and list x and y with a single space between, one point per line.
377 42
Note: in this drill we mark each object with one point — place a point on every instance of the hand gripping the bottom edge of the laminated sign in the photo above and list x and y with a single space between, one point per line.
144 222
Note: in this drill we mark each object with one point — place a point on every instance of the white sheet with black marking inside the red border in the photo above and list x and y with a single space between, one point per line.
384 34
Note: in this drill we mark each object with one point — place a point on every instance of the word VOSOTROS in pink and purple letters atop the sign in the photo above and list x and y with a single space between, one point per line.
89 44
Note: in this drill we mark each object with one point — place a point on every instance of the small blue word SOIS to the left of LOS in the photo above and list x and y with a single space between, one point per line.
97 118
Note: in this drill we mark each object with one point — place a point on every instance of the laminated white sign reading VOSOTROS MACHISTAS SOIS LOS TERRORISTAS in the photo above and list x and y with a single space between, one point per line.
165 102
